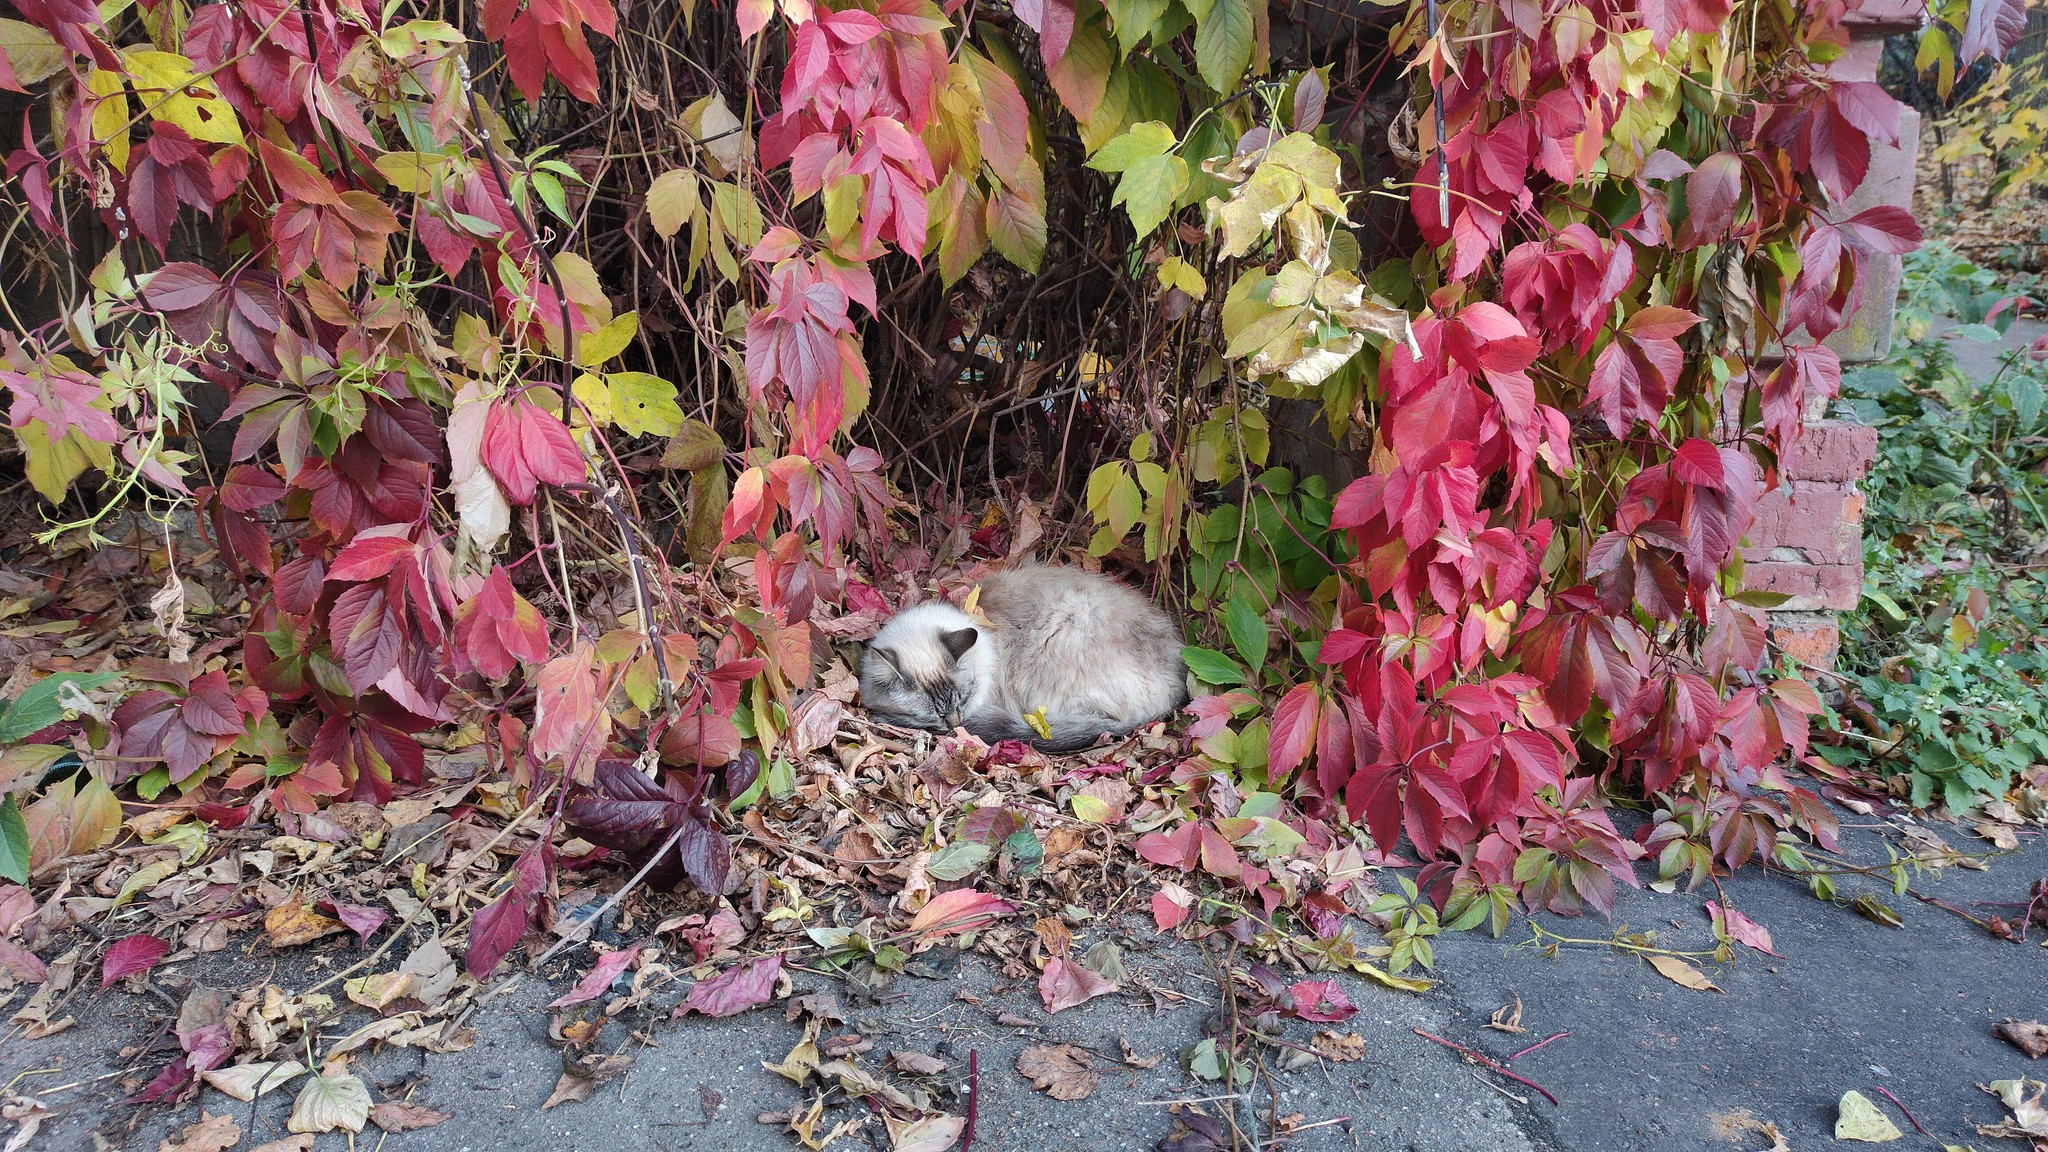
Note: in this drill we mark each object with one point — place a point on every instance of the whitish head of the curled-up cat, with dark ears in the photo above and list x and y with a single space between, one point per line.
923 669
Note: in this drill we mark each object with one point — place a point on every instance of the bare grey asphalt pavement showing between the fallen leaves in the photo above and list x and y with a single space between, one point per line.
1648 1065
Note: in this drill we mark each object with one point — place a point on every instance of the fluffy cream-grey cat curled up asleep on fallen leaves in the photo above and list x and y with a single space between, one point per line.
1095 655
